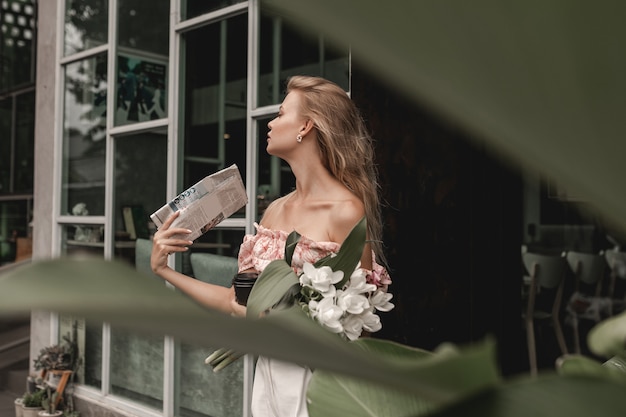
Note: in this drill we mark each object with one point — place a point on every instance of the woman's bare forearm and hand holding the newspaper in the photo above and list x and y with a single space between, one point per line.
210 295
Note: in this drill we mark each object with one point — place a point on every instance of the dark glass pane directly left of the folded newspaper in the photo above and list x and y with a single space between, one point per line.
138 192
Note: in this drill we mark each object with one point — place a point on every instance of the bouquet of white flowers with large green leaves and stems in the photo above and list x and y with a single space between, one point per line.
335 291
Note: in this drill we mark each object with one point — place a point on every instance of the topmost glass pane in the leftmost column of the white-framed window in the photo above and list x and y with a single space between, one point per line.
86 24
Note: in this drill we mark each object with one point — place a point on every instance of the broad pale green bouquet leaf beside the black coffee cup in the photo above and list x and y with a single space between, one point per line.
275 281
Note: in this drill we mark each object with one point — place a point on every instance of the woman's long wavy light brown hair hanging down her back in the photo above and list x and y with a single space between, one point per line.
345 145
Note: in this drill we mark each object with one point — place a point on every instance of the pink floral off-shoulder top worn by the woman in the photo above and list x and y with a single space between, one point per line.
258 250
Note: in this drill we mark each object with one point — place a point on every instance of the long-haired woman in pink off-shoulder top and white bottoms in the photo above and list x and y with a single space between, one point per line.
321 135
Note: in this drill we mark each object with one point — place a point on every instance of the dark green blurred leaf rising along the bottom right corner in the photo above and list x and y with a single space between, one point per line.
547 395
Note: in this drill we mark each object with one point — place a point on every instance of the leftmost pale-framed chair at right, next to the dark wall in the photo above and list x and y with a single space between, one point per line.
546 279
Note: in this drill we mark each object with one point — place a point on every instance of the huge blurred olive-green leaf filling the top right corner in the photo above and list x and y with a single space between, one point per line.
541 82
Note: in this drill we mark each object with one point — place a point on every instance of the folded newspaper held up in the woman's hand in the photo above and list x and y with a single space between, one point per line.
205 204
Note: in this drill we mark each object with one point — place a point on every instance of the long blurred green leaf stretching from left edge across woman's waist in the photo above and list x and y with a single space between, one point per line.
117 293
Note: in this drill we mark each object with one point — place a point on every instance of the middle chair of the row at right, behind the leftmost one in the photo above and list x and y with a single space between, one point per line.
586 301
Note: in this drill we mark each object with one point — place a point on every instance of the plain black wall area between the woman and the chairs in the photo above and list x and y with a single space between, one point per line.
453 220
